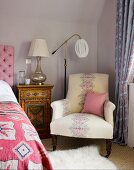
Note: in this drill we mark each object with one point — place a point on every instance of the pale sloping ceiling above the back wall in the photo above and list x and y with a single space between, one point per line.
85 11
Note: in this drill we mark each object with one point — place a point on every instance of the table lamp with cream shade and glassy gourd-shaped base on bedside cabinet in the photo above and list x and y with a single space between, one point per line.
38 49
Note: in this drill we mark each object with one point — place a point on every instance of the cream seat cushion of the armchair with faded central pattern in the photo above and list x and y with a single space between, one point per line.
82 125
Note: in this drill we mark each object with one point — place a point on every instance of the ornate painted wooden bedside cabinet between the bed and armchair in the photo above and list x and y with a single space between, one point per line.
36 100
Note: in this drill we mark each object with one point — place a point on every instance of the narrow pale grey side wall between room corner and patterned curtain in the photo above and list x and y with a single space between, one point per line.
106 43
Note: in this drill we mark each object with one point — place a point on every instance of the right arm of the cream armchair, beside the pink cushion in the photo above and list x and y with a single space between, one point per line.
109 107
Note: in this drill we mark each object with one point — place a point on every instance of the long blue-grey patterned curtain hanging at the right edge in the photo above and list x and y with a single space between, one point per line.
124 66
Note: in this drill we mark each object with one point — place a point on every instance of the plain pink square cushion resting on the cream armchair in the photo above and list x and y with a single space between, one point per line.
94 103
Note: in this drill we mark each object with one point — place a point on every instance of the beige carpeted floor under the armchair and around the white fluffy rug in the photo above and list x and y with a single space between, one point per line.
122 156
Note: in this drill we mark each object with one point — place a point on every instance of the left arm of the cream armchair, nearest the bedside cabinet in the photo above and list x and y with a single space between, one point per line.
60 108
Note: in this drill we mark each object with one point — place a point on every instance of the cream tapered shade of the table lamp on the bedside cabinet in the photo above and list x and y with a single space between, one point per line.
38 48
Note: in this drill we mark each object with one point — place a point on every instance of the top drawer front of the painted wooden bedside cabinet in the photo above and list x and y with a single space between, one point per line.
35 93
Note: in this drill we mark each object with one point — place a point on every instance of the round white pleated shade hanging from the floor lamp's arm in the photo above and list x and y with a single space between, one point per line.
81 48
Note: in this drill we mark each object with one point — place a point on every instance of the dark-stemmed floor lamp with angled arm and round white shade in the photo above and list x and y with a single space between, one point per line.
81 49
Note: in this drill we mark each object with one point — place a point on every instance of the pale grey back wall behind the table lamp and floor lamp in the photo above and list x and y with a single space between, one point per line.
19 31
